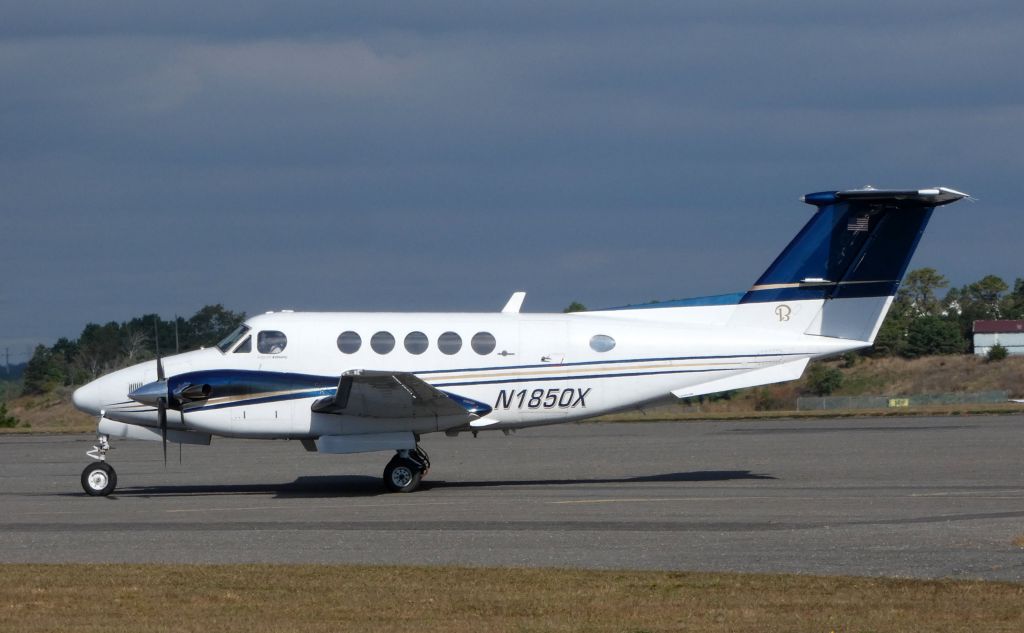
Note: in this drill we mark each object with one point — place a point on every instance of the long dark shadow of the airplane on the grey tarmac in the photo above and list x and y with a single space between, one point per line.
364 486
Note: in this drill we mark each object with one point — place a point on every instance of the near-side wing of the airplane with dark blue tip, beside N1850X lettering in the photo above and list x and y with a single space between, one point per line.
368 394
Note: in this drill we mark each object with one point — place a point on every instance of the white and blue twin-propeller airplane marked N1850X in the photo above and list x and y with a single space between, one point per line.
359 383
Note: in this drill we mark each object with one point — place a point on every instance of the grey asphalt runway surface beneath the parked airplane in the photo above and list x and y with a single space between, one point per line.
912 497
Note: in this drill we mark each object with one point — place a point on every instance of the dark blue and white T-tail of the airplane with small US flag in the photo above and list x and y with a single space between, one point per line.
839 276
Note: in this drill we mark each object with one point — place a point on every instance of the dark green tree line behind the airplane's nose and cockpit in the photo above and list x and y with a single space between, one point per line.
103 349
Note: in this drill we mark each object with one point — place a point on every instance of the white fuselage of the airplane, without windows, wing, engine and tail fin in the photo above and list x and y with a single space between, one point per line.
542 370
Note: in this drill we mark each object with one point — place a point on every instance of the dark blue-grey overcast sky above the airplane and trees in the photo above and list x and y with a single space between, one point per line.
439 156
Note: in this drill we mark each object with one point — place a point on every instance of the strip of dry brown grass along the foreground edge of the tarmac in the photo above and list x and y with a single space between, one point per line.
257 599
